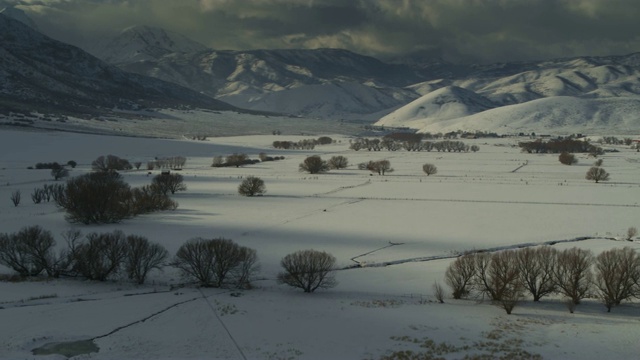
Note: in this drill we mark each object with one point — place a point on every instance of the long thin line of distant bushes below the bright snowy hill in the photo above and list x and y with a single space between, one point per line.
410 142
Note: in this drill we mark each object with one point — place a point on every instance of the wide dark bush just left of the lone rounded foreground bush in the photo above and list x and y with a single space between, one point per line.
216 261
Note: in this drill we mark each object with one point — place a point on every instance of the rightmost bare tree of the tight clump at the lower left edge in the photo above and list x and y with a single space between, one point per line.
142 256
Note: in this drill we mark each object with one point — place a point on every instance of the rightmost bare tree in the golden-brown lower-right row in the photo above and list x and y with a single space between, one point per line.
617 275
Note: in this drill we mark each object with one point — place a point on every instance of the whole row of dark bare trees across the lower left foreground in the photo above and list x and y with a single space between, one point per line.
215 262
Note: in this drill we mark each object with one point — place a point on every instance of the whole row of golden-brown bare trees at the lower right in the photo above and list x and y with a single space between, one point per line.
504 277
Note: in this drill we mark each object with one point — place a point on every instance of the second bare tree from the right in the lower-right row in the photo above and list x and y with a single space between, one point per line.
573 273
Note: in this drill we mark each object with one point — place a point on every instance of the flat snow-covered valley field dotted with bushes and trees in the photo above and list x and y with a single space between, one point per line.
497 197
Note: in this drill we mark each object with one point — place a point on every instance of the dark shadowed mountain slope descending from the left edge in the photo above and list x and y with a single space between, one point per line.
38 73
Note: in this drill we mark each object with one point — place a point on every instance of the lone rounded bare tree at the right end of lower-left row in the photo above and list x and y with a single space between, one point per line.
308 270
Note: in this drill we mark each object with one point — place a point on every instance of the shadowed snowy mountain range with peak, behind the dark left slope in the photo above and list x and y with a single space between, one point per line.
265 79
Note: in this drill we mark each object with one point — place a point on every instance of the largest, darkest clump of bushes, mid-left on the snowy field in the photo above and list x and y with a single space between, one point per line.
104 197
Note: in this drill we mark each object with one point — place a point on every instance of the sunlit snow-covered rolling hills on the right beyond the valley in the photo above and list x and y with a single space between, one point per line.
589 93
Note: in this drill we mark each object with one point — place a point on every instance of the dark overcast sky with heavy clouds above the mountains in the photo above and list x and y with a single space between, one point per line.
461 30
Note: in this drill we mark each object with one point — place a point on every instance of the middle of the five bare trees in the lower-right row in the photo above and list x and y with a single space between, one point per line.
537 268
